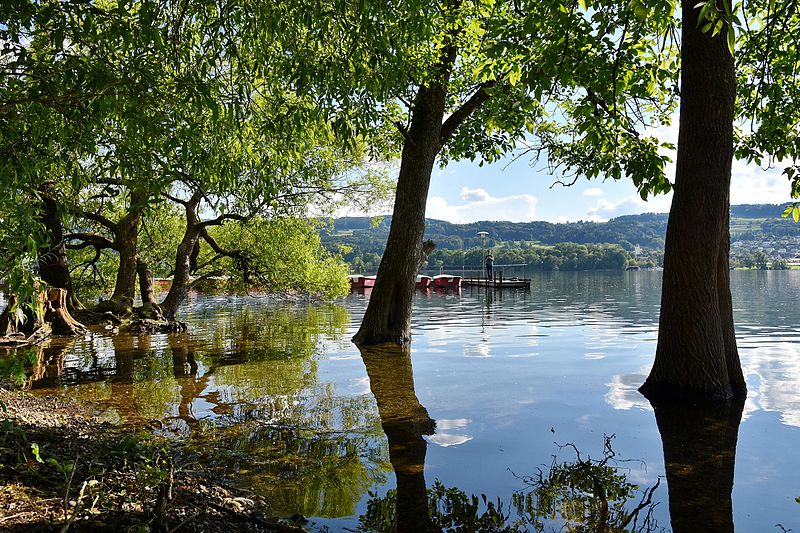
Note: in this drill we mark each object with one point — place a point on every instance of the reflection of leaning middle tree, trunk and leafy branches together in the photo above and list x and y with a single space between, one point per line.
583 494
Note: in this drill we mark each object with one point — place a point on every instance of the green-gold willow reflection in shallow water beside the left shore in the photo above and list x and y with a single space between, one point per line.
244 385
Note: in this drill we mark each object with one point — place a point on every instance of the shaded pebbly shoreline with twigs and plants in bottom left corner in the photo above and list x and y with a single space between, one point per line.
62 468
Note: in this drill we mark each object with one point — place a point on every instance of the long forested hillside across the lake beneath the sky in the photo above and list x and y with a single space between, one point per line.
755 227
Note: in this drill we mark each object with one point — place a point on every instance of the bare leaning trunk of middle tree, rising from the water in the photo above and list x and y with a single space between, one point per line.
388 315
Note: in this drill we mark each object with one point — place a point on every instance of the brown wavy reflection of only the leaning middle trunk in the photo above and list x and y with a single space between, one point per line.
405 421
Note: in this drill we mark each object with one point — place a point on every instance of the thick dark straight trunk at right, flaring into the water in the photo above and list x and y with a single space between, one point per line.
696 356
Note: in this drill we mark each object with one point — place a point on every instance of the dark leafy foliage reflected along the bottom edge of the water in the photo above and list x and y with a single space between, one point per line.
579 495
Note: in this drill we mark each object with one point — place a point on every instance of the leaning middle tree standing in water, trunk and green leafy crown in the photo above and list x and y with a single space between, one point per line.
493 71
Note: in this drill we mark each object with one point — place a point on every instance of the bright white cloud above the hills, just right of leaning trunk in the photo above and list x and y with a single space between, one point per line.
480 205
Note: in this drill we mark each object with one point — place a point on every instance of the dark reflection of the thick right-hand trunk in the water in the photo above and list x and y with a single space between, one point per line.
699 455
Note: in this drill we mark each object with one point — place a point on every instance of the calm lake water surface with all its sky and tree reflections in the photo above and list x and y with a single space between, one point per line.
496 386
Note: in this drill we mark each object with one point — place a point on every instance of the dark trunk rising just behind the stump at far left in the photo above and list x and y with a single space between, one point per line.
53 263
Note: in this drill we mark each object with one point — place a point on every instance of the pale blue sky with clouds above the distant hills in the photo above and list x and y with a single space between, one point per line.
520 192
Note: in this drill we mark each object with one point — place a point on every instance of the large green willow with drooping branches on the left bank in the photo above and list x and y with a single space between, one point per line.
121 107
